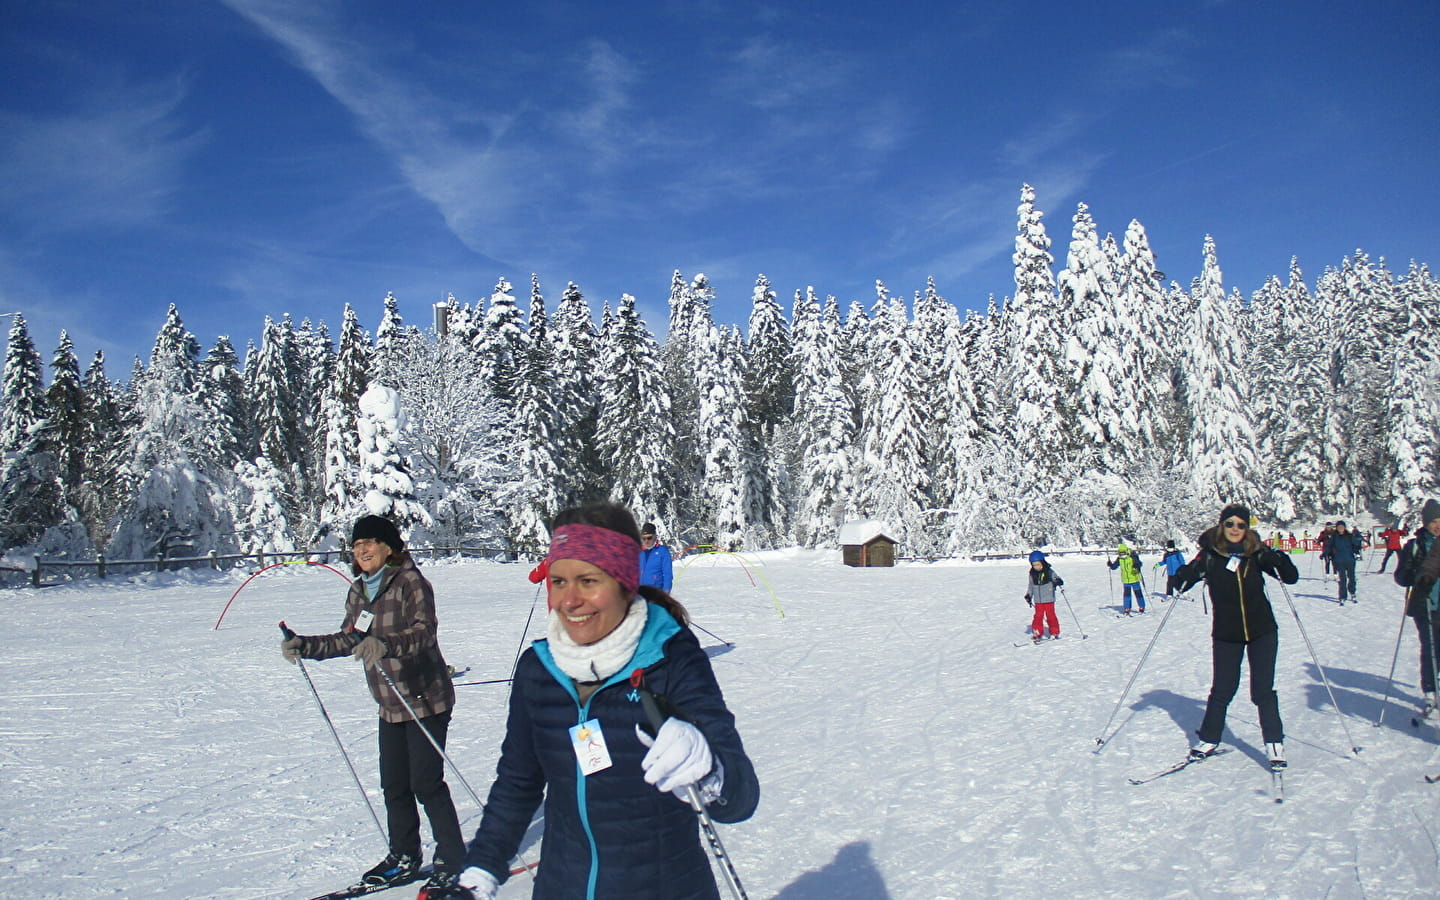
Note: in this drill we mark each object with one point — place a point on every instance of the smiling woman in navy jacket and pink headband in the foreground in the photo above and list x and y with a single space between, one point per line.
617 824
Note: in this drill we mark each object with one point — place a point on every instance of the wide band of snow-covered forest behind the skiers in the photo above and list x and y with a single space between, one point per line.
1089 404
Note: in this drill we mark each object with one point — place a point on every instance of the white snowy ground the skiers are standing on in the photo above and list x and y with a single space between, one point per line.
905 748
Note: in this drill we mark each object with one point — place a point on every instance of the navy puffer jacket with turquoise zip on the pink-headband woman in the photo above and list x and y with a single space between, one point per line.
610 836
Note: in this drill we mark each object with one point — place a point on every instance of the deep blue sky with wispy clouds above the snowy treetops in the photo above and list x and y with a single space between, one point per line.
244 159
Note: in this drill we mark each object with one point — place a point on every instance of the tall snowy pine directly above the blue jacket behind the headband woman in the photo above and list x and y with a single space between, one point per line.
636 434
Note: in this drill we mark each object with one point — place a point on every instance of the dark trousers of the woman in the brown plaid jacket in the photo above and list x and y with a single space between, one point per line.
413 771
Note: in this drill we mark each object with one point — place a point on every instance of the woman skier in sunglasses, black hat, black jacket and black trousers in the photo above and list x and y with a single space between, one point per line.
1233 562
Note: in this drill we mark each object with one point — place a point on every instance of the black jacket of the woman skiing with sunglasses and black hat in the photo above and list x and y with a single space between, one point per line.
1242 610
